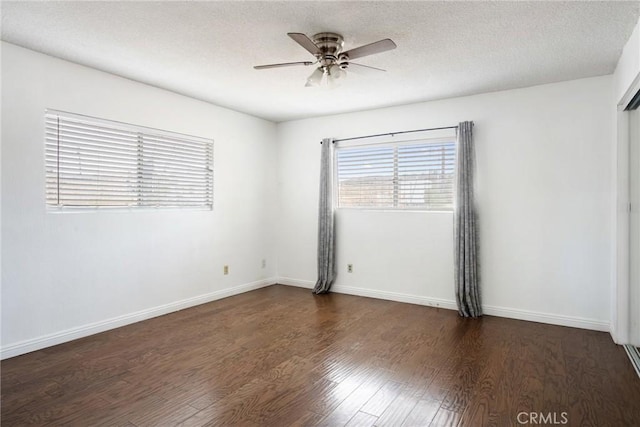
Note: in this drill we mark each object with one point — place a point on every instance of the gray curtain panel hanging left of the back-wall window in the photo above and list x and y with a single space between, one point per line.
326 238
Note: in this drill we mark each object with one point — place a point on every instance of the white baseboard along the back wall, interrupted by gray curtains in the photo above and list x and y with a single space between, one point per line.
511 313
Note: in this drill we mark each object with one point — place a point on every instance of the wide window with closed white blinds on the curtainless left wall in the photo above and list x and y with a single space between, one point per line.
94 163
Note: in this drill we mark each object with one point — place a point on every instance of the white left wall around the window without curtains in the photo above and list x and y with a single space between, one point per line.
68 275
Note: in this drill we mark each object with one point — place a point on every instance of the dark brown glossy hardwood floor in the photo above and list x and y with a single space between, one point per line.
280 356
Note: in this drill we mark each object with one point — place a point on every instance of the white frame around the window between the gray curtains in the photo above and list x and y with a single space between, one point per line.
391 140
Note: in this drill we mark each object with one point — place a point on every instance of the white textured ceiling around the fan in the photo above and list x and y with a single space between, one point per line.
206 50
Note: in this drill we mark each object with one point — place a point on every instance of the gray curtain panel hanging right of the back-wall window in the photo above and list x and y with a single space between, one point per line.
465 229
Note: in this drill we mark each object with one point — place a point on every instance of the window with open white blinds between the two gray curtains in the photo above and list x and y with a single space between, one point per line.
400 175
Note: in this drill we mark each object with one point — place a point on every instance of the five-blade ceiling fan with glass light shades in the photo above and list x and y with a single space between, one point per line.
332 61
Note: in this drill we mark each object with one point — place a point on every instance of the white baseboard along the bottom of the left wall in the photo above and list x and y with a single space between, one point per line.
49 340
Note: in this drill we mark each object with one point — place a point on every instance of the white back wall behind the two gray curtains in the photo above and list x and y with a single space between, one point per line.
545 179
